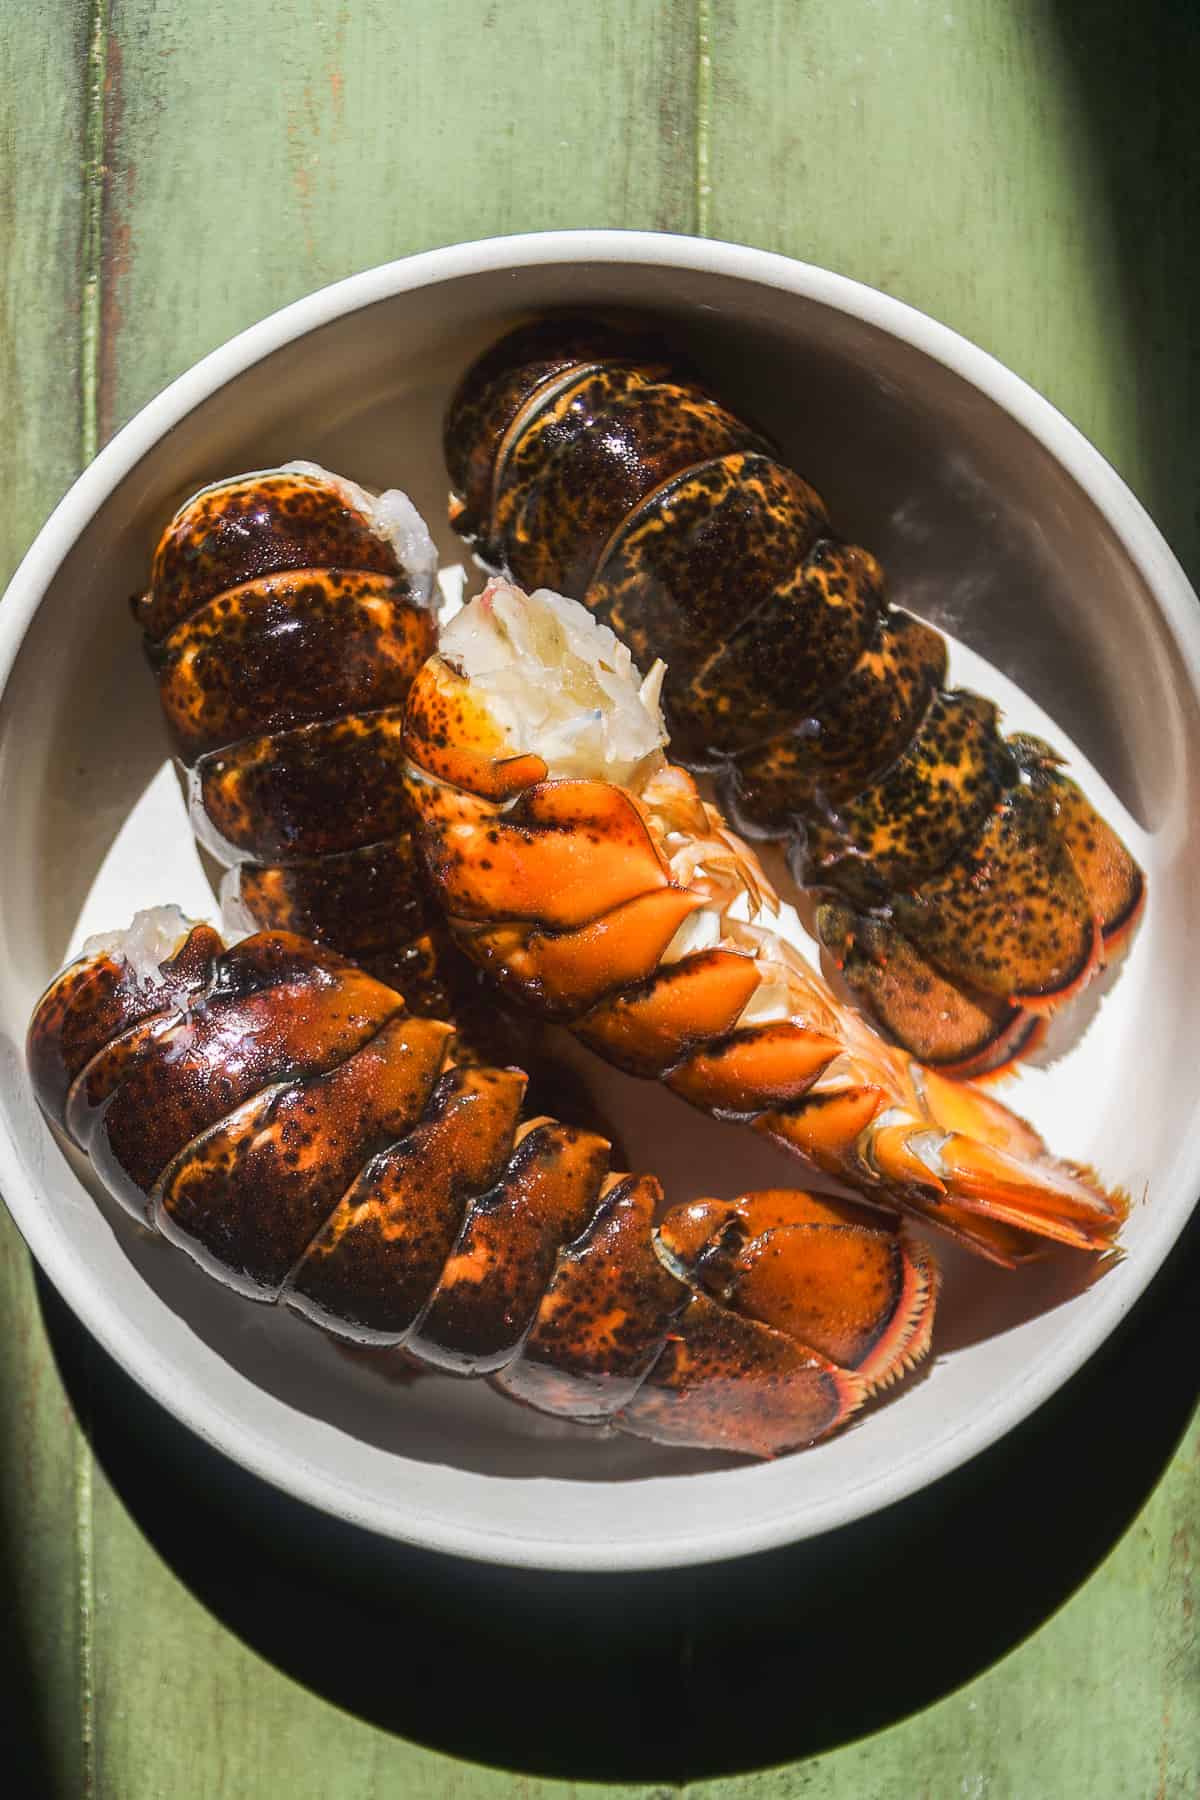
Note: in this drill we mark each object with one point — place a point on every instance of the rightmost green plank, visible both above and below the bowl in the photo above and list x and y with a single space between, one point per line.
1026 174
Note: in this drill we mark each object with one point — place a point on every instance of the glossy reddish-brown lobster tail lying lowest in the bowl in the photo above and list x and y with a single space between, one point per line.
294 1128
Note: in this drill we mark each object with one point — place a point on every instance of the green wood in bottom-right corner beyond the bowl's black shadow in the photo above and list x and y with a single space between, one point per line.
1104 1702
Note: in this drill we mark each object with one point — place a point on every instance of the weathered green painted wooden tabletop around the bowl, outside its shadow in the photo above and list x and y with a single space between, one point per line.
1026 172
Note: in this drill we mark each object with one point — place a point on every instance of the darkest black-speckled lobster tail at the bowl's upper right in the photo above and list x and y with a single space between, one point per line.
969 885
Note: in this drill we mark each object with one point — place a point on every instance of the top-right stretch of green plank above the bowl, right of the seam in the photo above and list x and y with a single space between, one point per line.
1026 174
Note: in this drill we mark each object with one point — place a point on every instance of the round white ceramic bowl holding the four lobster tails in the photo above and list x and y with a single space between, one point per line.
990 514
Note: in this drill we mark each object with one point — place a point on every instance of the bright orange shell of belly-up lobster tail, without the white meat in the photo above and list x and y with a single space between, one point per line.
742 1027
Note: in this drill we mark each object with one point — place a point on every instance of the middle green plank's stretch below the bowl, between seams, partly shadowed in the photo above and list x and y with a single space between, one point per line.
247 1646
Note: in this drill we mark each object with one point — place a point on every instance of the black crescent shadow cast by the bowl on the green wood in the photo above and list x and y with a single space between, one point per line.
694 1673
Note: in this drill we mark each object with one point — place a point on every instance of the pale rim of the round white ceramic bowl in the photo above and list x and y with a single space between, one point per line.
1124 514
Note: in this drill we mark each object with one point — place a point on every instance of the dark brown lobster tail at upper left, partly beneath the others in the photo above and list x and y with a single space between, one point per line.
285 620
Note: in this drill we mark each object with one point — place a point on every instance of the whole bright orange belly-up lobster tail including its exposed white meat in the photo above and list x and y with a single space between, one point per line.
586 874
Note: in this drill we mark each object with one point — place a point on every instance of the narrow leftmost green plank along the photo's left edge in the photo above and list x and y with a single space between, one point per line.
44 1459
